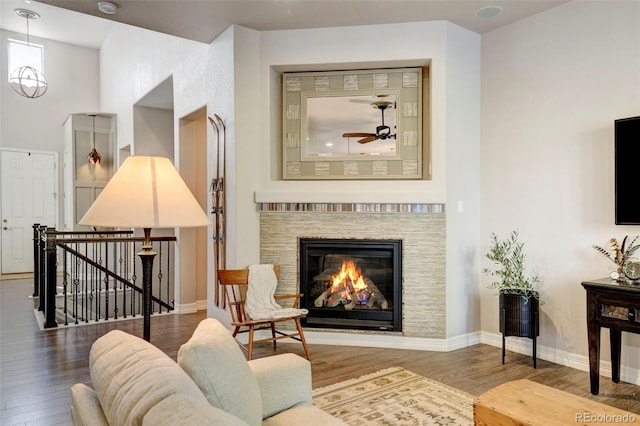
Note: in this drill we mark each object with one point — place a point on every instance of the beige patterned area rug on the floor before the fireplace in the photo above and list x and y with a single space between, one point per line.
397 397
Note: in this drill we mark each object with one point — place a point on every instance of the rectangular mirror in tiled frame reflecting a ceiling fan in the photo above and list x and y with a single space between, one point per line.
364 124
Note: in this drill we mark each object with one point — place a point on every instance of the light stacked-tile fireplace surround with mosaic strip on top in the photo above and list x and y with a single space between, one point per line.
421 227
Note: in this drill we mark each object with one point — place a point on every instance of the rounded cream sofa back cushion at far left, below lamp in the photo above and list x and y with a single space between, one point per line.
130 376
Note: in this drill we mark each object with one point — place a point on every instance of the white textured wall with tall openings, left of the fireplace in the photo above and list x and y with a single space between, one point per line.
134 61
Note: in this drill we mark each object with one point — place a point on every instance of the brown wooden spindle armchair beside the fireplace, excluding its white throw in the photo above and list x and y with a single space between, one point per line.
234 284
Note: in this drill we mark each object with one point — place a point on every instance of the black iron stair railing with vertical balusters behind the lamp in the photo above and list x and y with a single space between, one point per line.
82 277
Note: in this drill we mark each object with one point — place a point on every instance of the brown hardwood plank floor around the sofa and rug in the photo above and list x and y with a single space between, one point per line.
38 368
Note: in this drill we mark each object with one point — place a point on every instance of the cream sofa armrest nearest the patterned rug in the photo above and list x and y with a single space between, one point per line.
284 381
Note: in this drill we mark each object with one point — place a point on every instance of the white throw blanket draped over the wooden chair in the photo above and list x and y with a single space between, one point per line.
260 303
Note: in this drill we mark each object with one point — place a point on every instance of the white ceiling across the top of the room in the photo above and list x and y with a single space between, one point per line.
204 20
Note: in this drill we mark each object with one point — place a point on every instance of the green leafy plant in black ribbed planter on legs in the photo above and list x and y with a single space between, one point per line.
519 293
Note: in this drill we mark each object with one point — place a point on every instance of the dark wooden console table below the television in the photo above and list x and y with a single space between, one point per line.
616 306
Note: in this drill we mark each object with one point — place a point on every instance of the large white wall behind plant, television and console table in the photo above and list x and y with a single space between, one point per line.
552 85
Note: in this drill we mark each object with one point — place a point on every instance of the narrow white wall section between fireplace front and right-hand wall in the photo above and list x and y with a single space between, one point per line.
462 116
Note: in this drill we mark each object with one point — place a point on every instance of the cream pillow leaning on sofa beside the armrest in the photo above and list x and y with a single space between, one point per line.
215 362
